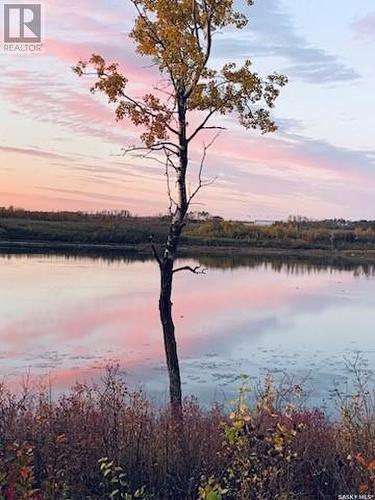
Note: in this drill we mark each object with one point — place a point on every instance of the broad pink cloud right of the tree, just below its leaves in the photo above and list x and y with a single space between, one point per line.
294 160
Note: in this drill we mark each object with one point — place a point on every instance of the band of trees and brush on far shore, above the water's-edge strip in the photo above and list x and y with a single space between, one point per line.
202 228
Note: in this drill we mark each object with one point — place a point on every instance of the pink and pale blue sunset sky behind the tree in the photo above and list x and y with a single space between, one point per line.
60 147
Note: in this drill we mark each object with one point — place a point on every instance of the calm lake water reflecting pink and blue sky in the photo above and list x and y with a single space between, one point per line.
65 318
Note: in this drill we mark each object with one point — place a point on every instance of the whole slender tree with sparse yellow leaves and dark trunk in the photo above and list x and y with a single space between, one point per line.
179 36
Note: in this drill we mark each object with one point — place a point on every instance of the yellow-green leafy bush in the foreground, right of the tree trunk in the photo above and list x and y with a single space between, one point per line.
258 449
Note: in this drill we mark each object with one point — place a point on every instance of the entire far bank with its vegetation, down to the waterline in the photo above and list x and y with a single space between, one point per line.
117 232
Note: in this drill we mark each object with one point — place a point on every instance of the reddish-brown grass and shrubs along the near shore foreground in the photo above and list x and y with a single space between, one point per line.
99 443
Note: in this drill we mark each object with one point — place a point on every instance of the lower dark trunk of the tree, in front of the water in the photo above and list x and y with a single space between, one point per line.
165 308
